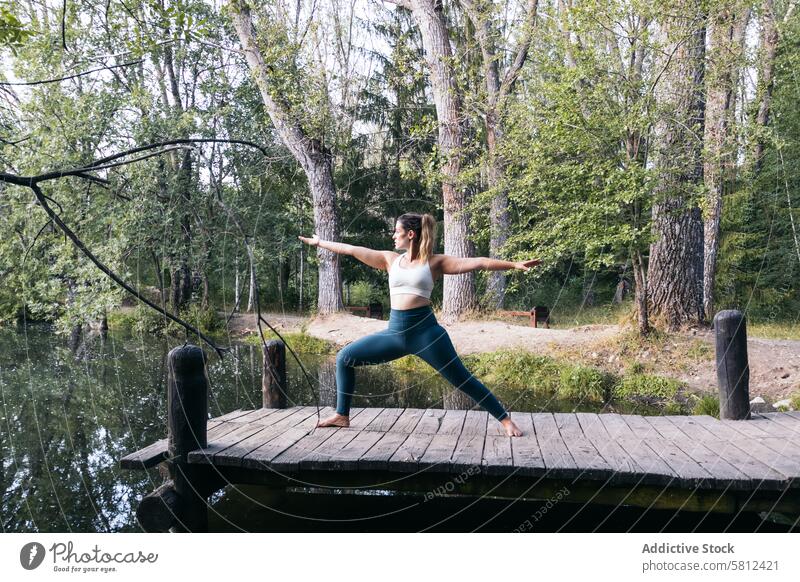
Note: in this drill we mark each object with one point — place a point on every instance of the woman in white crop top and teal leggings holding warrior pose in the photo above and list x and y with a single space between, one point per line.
412 325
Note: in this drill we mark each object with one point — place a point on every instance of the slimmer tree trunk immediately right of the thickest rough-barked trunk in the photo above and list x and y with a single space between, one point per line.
726 43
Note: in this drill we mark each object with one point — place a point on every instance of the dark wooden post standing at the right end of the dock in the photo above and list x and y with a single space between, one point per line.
733 370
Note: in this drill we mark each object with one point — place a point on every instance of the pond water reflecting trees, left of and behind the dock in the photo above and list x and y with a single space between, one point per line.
68 417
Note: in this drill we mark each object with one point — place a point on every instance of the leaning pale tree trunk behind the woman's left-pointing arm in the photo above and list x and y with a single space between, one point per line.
312 156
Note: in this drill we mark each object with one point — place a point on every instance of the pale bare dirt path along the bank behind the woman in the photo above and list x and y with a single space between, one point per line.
687 356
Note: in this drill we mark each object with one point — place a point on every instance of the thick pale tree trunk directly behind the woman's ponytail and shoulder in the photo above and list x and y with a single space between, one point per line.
459 290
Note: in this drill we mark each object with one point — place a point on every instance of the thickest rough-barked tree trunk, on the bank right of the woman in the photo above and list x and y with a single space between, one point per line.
675 284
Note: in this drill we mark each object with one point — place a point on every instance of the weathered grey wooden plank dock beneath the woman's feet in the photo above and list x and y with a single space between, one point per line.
694 463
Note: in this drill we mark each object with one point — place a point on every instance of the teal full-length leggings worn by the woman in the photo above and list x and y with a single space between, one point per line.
411 331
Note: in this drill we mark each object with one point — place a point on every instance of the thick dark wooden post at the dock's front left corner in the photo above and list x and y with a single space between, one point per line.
187 413
